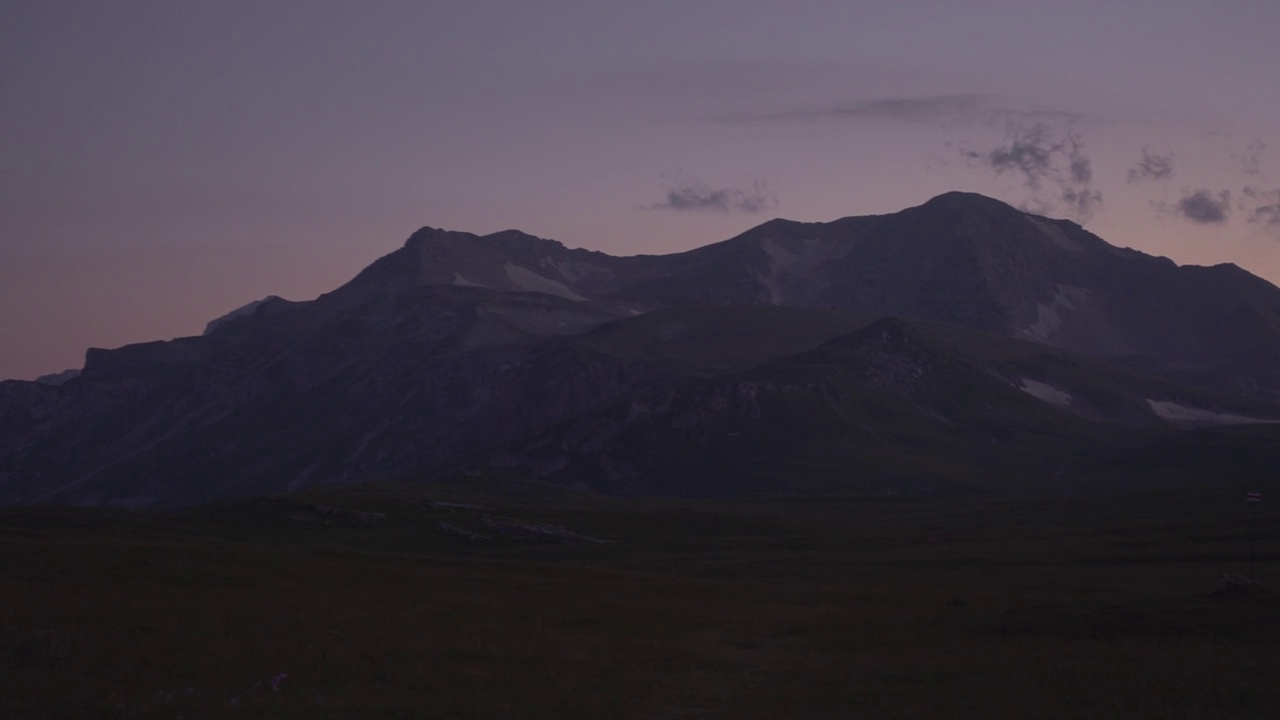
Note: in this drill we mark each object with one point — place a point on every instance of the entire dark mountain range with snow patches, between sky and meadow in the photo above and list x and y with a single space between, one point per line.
959 347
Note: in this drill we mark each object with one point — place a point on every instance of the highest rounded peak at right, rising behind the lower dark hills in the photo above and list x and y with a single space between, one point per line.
971 261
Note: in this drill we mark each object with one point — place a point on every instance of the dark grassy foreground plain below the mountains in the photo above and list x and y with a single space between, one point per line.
377 604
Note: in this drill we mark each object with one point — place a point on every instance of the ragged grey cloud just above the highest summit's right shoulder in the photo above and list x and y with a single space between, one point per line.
1052 163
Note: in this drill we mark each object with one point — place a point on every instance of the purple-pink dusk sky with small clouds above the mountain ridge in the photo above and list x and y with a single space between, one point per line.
167 162
